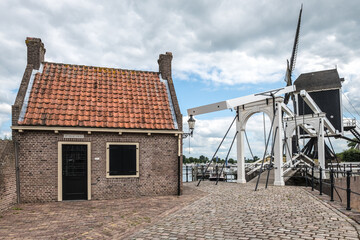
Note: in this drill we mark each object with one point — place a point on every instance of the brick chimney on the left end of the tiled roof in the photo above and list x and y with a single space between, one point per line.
35 52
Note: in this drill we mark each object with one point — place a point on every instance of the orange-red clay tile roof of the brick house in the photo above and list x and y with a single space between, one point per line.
81 96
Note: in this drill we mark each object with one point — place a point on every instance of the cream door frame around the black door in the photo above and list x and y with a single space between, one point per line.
60 188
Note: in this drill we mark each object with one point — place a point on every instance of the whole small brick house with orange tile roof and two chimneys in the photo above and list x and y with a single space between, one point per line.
86 132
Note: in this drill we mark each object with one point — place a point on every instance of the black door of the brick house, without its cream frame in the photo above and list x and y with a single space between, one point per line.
74 171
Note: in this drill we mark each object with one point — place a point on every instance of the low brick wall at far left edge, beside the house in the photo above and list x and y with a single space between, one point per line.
7 175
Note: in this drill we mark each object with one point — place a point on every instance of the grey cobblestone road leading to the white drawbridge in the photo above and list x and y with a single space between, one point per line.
233 211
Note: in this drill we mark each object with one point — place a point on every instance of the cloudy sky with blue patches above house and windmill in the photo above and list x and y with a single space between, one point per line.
222 49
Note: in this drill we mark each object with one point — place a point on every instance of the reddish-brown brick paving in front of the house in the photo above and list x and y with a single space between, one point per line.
106 219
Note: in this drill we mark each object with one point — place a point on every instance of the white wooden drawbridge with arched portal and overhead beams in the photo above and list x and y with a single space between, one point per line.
284 122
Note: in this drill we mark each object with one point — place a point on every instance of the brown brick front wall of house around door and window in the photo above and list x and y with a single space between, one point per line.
39 155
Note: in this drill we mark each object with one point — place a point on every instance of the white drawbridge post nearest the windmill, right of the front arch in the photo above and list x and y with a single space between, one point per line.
278 147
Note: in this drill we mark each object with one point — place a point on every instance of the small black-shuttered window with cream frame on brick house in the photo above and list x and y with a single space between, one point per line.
122 160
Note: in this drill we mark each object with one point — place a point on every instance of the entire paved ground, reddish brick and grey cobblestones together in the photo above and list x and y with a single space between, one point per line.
226 211
